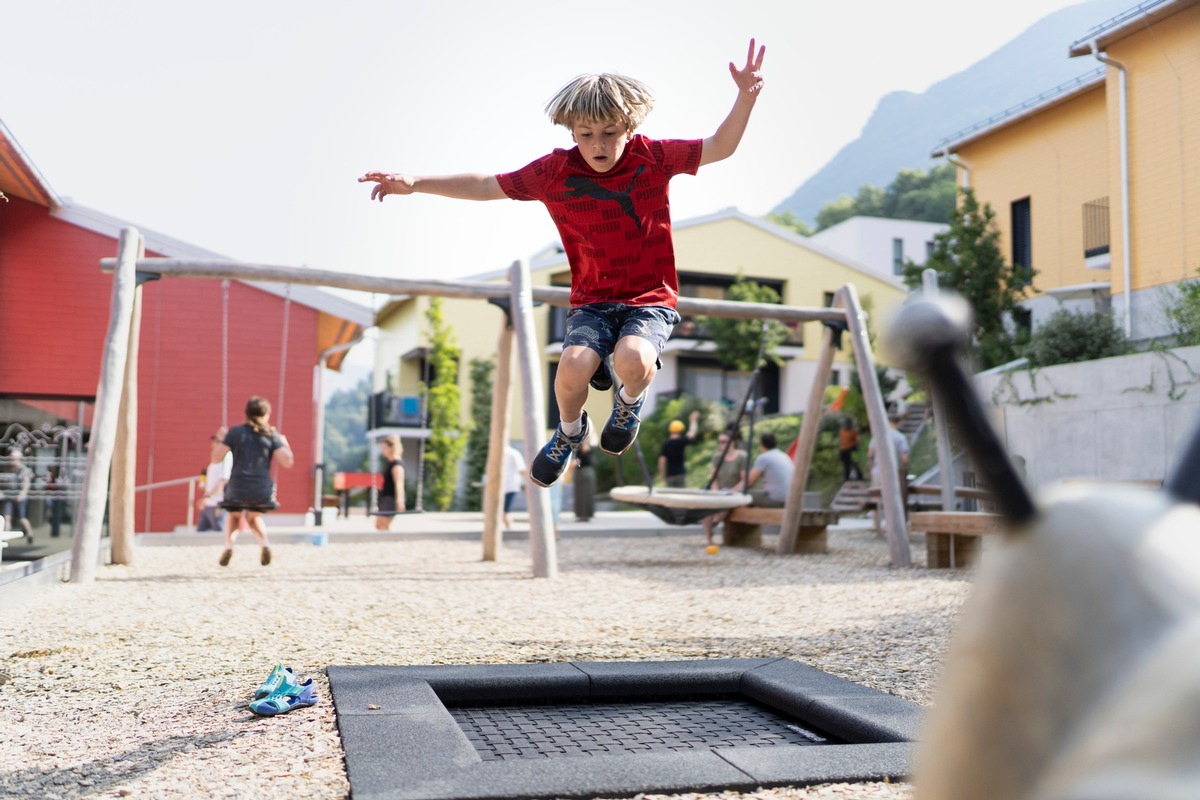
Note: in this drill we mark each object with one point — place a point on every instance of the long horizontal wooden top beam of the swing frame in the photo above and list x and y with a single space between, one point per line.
201 268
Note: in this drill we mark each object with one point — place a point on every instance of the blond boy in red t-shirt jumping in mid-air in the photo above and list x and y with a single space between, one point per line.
609 200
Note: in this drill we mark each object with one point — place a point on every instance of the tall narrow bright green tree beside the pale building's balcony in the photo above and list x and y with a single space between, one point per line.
443 400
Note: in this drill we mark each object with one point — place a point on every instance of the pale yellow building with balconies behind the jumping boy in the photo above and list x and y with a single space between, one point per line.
710 254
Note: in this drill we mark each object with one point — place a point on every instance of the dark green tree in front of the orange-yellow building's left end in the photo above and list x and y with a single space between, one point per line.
968 260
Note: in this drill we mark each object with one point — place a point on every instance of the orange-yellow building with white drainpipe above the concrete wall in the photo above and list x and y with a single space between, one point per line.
1096 183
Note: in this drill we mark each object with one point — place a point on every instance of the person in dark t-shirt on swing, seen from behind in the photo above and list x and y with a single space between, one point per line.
250 492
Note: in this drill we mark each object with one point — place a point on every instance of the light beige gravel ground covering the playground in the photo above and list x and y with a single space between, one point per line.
136 687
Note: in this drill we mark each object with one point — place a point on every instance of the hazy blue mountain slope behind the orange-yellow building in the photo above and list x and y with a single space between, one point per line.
907 127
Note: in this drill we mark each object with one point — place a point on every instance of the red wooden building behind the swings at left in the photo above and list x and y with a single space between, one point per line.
206 347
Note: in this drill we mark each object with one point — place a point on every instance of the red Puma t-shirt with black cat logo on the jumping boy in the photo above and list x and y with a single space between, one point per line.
615 226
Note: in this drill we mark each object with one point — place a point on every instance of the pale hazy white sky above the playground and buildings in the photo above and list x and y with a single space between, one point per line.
242 127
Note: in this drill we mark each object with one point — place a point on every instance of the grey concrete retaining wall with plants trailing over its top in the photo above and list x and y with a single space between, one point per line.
1125 419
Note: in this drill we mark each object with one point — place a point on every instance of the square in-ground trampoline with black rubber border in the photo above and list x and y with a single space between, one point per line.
613 729
